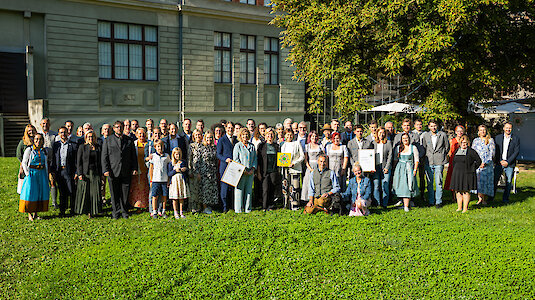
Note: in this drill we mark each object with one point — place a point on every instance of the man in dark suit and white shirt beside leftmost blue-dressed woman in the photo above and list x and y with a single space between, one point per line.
63 168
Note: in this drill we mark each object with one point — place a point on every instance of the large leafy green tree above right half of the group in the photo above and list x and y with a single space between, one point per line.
446 51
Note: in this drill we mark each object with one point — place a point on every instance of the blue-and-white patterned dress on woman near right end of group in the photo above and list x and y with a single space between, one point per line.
485 176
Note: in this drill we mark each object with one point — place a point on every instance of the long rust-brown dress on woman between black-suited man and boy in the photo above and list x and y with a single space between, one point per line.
139 187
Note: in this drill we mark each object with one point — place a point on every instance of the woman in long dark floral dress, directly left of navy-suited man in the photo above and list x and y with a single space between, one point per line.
208 192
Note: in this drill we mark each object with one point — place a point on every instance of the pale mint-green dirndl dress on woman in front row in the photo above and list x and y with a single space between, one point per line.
405 184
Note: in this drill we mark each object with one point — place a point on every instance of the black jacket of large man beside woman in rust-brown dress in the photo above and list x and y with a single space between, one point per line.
119 156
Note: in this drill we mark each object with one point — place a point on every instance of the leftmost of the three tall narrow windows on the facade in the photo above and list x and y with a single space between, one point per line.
222 57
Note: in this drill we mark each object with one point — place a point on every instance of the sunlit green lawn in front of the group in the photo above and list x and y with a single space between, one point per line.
426 253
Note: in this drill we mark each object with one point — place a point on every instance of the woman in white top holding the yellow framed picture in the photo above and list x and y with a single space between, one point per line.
293 172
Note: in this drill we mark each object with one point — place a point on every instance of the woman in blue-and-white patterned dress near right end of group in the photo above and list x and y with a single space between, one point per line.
485 147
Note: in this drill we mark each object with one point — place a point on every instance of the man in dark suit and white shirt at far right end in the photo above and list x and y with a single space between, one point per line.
507 149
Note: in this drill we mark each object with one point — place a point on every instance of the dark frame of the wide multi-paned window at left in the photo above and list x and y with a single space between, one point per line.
112 40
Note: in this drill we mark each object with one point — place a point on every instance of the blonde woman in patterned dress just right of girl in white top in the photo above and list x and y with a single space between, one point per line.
194 166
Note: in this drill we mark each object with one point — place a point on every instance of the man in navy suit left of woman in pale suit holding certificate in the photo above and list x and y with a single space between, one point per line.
225 147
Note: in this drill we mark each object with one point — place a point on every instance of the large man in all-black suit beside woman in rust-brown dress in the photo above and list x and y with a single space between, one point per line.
119 163
